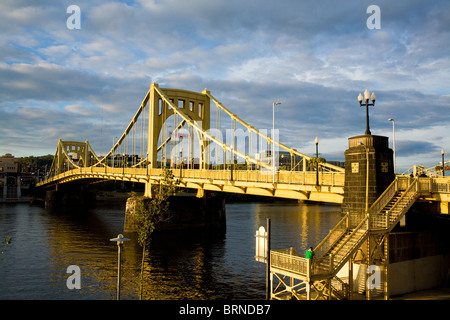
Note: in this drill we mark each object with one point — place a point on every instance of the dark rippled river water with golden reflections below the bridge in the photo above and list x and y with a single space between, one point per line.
181 265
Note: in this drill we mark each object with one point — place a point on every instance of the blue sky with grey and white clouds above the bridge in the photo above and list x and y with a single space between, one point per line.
312 56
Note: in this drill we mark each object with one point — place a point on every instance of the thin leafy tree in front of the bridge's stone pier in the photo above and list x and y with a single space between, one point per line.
151 212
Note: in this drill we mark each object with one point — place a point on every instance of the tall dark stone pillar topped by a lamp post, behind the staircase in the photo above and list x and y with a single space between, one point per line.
369 170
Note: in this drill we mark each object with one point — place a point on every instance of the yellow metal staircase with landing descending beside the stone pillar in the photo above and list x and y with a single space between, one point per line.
348 236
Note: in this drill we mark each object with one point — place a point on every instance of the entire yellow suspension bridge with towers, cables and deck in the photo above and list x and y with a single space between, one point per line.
172 129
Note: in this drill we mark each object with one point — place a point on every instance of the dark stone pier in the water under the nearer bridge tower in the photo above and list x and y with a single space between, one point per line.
186 213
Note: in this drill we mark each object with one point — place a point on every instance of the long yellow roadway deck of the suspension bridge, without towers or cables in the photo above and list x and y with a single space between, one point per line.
288 184
